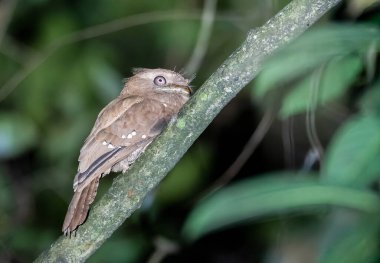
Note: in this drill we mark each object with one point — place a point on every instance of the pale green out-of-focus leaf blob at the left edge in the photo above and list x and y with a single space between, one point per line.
17 134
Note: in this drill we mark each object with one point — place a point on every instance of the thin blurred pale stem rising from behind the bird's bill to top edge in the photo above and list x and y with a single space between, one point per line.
201 46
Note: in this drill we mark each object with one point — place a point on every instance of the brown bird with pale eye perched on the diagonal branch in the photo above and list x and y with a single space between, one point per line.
123 129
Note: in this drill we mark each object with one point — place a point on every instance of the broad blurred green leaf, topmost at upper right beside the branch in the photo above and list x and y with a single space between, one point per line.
313 49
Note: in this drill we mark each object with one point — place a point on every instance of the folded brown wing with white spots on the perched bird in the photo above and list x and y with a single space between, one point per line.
122 137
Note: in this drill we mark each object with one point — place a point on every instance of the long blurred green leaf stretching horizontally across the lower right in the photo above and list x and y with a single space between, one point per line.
278 193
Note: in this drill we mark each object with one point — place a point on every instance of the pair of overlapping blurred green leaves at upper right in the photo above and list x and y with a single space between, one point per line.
335 55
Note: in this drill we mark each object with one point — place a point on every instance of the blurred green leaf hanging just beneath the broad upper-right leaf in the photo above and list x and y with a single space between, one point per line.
330 82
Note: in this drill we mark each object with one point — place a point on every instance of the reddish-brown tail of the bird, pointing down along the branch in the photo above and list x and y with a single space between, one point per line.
79 206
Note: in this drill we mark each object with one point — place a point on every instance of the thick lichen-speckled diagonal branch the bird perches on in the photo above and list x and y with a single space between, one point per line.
128 191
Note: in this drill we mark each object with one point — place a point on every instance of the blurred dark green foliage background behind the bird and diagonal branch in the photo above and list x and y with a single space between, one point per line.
308 193
